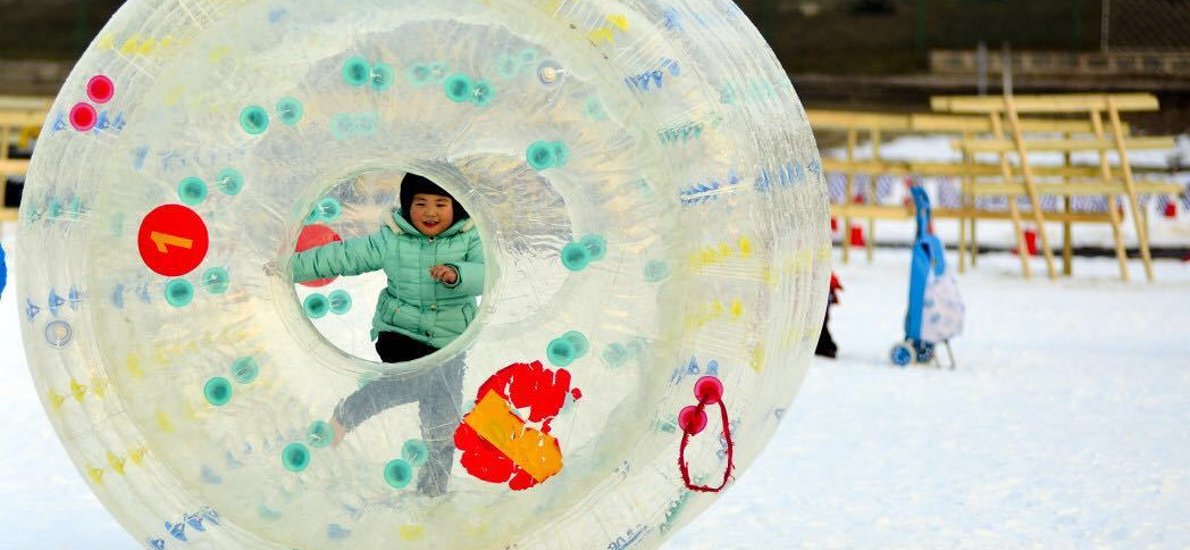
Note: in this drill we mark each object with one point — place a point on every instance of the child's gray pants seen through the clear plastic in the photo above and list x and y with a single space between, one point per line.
439 393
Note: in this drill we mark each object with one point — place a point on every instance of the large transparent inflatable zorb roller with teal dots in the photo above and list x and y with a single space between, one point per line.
654 222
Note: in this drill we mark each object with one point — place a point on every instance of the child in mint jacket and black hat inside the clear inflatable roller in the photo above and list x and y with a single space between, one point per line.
434 259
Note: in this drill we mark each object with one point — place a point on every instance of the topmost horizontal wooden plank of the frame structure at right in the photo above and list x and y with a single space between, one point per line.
1044 104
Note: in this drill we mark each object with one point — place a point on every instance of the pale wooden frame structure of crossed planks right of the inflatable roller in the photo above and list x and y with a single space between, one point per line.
985 127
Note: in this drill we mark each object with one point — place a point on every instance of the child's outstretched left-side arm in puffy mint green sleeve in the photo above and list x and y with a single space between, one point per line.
345 258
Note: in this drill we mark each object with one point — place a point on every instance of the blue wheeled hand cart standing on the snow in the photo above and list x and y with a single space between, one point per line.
928 255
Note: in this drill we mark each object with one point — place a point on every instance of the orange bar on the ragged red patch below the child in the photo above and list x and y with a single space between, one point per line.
536 453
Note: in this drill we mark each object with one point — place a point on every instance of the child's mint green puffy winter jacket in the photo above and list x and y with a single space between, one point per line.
414 304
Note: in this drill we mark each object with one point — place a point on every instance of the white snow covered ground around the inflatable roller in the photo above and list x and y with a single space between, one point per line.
1064 427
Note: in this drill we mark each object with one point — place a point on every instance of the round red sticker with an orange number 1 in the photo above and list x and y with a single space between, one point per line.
173 241
